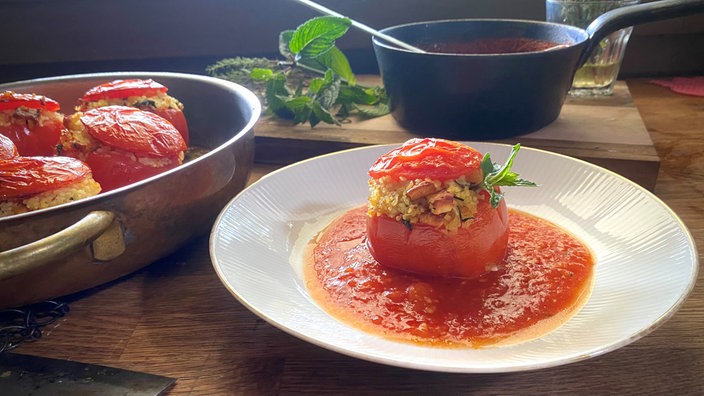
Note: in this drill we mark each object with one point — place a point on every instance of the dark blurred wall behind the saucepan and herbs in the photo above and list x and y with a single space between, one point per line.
43 38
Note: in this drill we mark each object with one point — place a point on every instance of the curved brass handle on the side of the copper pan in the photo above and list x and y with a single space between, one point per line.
98 228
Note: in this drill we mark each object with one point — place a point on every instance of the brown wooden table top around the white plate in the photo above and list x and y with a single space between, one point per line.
175 318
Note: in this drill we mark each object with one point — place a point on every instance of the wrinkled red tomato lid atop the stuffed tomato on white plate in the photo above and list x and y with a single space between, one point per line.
431 158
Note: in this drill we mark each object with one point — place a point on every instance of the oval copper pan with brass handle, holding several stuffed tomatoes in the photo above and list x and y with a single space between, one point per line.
72 247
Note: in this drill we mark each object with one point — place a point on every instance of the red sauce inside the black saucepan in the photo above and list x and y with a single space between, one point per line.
504 45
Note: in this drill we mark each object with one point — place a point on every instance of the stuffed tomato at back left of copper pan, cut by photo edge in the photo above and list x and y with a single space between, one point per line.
32 122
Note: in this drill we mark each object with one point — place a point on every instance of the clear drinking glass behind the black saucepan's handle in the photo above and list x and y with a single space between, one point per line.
598 75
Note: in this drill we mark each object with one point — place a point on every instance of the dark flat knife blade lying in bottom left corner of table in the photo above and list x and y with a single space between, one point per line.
25 374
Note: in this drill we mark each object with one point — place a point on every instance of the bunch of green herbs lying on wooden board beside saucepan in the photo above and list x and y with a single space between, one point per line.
314 84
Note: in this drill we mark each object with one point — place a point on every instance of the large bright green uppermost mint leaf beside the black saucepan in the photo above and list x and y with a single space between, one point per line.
317 36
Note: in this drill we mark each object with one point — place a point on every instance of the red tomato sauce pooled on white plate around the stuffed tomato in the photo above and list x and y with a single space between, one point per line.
545 279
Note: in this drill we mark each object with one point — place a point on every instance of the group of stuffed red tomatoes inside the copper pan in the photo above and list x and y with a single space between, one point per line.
47 159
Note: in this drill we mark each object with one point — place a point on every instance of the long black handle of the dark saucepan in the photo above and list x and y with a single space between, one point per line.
623 17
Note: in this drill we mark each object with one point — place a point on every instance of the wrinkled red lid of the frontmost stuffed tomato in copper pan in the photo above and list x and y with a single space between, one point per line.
23 176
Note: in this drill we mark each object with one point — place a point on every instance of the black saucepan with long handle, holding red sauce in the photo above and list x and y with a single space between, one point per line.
492 96
